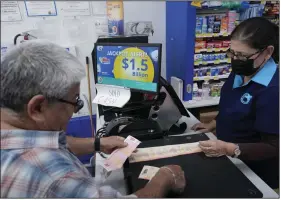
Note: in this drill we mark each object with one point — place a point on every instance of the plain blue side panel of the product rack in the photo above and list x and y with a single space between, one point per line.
180 41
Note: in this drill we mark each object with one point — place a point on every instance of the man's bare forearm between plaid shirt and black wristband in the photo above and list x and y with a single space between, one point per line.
80 146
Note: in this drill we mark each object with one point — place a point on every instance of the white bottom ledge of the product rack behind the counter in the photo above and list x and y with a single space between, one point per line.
213 101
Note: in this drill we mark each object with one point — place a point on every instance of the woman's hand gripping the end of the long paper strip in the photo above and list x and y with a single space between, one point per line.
216 148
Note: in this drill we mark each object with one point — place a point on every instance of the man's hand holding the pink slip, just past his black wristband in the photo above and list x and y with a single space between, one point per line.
109 144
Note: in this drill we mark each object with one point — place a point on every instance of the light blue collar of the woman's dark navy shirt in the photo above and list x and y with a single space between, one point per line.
263 77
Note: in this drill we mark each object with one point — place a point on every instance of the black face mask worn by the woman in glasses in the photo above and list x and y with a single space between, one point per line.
245 67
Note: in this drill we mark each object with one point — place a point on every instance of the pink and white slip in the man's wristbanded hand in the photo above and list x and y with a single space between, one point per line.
119 156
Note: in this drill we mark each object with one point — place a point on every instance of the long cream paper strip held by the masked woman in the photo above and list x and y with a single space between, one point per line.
154 153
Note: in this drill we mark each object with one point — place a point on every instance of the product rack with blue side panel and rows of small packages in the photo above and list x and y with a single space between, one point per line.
182 34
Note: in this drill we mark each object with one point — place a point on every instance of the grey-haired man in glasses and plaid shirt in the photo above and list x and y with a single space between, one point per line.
40 85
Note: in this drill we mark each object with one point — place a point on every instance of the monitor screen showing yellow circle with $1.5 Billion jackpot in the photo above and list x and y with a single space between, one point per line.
134 66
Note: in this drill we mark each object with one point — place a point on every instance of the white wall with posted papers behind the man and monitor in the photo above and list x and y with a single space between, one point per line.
154 11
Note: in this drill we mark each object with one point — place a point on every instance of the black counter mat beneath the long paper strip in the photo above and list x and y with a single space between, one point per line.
206 177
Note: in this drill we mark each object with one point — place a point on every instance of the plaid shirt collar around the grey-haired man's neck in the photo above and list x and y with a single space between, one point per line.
25 139
